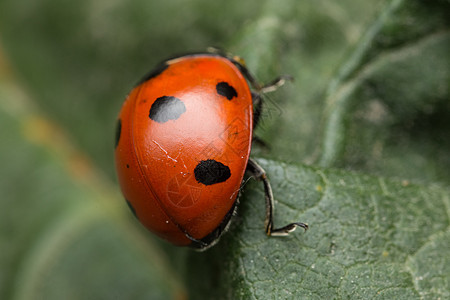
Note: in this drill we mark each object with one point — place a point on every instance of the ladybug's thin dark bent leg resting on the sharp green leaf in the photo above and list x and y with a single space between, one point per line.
258 172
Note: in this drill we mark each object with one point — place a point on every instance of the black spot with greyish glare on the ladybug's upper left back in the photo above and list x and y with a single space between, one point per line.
166 108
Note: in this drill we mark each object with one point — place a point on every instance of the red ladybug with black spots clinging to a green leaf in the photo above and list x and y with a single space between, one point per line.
183 142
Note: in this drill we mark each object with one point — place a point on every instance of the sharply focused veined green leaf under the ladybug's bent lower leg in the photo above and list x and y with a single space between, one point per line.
369 237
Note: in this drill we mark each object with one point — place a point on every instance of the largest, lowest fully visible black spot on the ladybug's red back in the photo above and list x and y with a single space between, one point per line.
211 171
